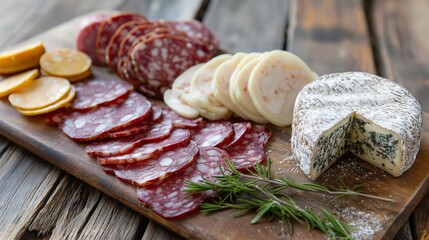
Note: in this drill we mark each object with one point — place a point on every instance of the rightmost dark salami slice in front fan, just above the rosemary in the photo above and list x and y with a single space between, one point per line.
251 150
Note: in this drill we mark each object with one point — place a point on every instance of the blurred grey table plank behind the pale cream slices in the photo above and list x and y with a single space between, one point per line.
248 25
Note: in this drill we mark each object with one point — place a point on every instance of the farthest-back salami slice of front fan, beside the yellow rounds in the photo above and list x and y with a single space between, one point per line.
99 91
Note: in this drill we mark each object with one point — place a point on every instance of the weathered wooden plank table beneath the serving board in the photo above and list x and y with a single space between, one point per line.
389 38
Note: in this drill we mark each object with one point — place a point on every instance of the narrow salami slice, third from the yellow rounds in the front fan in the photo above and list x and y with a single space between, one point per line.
112 147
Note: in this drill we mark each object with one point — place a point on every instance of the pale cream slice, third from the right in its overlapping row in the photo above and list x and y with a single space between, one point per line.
221 81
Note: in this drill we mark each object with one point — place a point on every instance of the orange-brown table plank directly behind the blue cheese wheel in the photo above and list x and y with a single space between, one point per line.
330 36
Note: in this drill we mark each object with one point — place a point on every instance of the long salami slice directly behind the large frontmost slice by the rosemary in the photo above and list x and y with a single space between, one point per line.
157 169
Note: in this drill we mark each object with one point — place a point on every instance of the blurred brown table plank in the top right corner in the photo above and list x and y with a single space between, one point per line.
402 34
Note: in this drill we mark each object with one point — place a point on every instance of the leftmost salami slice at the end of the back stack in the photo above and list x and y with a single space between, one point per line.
87 35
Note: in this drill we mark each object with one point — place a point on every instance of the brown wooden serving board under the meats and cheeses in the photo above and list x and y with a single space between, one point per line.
373 219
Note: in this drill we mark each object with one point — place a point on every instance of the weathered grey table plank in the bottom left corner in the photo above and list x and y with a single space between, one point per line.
25 181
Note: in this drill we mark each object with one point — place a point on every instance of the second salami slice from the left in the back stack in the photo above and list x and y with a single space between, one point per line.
108 28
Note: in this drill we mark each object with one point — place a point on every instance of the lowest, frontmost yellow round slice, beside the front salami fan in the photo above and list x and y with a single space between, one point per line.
40 93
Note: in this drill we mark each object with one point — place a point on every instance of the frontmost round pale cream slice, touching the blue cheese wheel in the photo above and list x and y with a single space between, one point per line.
274 84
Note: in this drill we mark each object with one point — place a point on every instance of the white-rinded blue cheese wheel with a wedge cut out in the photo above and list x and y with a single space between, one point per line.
374 118
